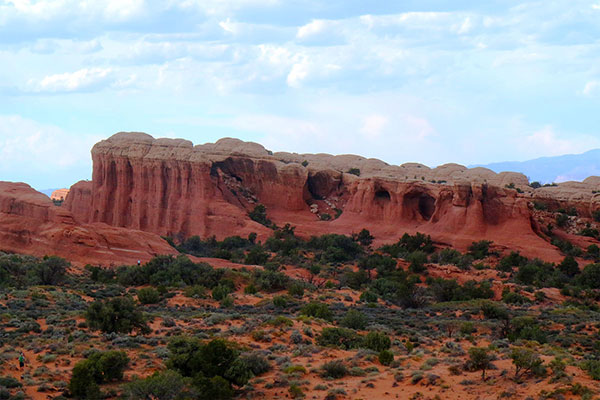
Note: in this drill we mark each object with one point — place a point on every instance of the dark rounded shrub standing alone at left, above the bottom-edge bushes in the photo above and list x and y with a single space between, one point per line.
118 314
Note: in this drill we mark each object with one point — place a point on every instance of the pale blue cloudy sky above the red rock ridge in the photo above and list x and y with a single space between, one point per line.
424 81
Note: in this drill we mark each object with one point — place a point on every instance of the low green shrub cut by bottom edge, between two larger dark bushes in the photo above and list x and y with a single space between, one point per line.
165 385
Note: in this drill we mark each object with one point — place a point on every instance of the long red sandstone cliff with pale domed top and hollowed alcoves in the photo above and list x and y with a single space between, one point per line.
171 187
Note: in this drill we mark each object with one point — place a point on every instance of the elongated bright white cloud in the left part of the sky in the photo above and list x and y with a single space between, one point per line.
81 80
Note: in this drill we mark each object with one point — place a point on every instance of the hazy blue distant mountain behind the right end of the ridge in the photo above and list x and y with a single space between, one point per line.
570 167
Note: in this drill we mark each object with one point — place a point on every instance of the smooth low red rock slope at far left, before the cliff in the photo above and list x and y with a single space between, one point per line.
30 223
